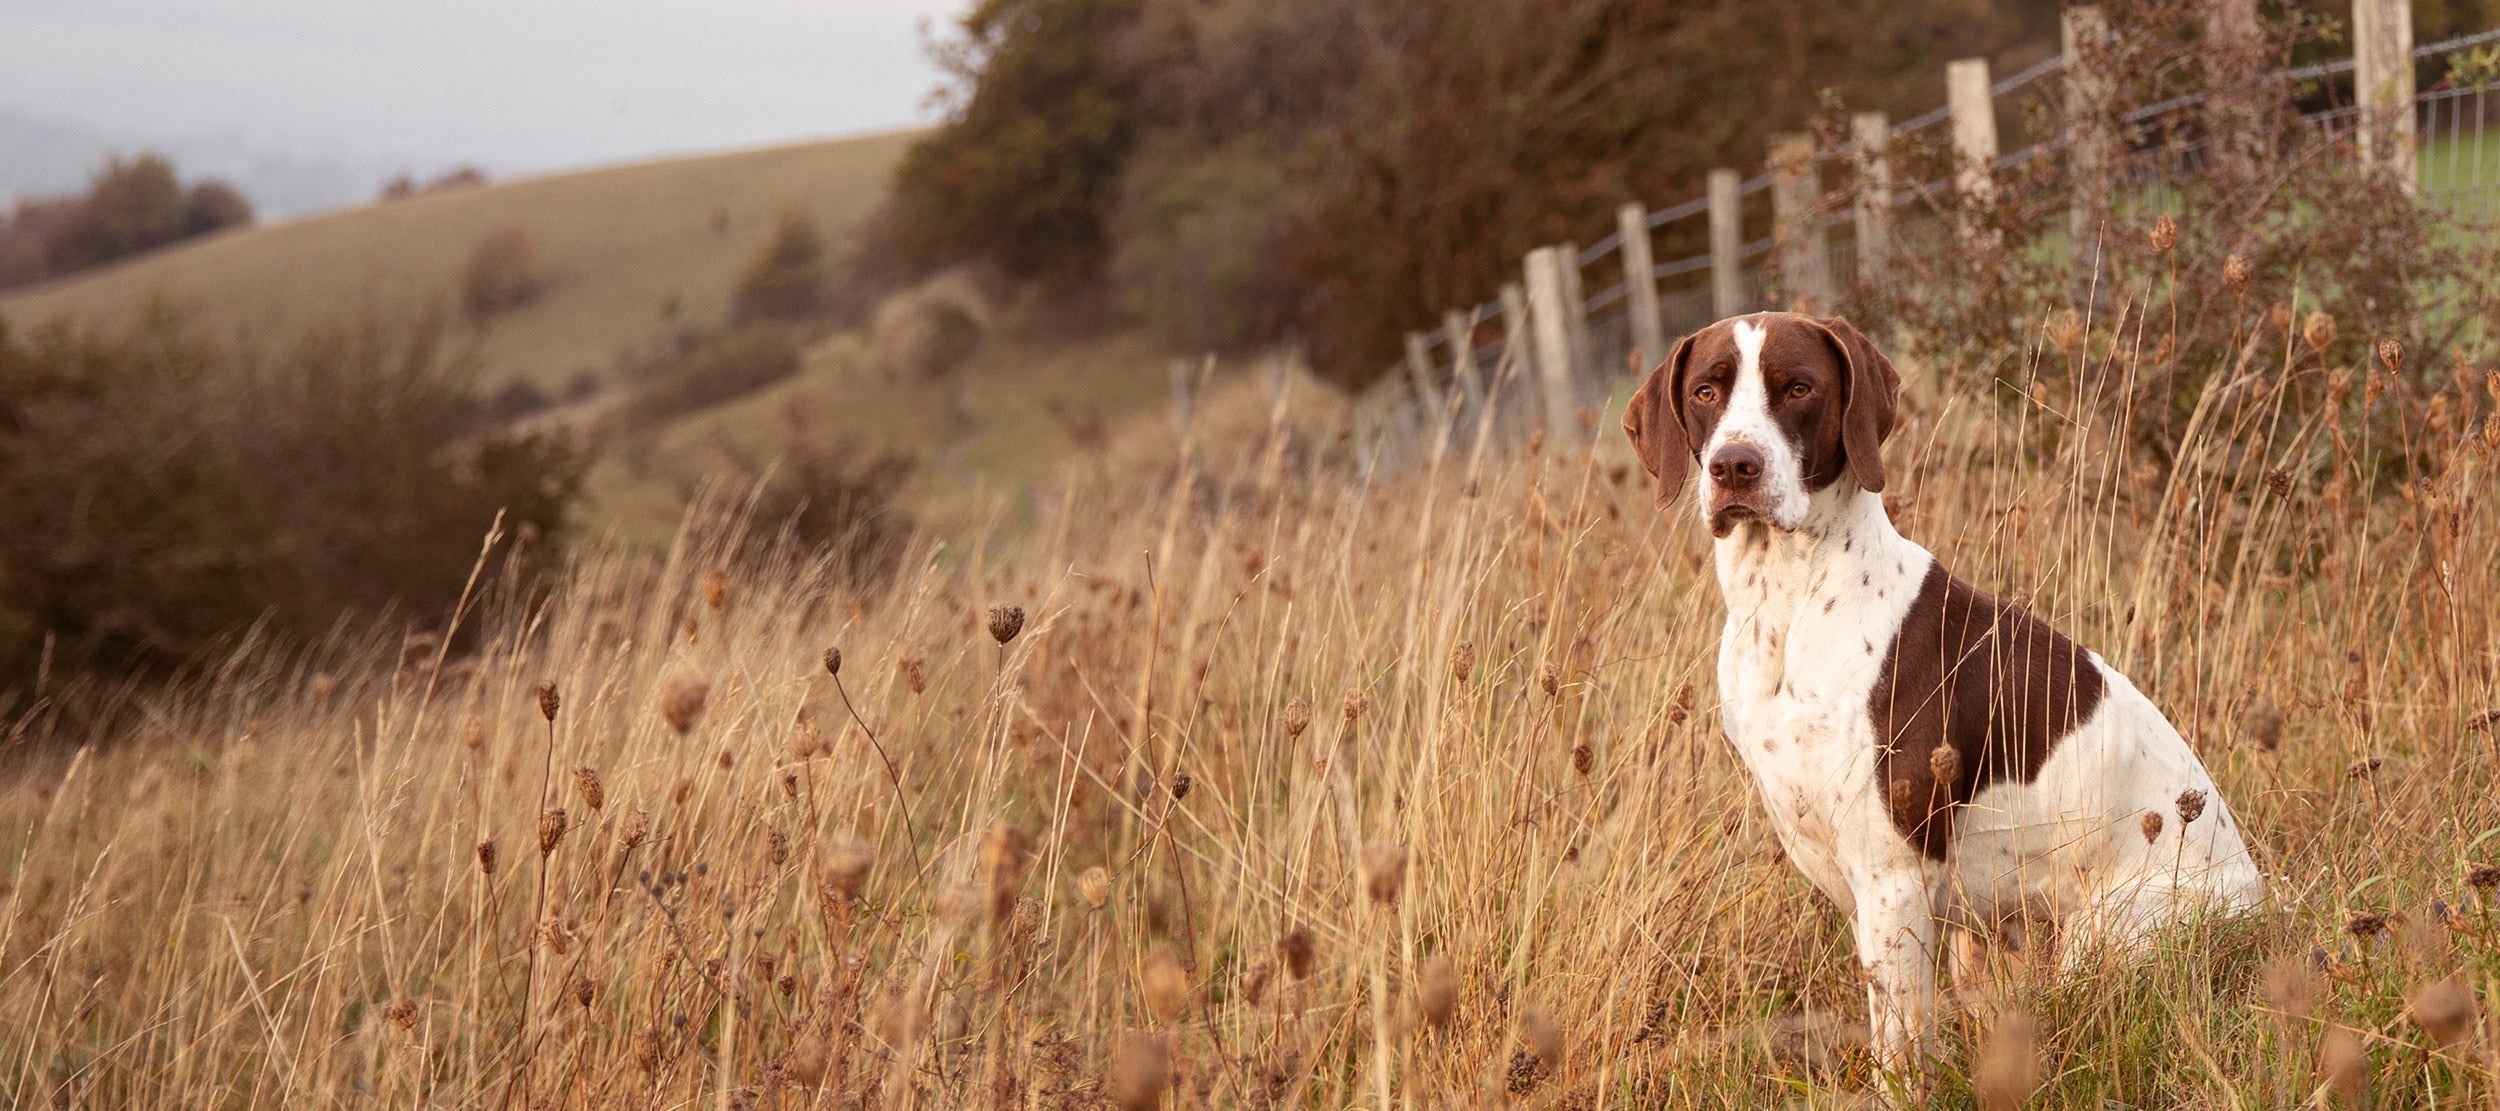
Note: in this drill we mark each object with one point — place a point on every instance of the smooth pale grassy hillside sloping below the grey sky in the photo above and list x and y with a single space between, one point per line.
614 249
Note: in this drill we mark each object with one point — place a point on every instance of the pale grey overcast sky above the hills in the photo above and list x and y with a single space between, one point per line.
509 84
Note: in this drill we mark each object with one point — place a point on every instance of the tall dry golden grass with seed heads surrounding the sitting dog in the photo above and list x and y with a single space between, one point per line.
1289 789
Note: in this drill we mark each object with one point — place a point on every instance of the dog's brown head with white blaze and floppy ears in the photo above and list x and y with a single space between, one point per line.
1774 407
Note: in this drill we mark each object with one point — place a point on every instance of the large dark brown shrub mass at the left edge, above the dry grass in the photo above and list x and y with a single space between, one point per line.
161 492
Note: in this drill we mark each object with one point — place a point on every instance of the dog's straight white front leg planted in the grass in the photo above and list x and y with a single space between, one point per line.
1896 922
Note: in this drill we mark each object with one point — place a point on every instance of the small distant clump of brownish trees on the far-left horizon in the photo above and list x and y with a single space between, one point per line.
131 206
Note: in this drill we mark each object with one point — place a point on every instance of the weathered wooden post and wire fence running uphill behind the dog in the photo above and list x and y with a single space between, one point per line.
1544 349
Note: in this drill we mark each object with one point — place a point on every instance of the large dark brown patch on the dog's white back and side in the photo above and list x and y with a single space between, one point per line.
1971 694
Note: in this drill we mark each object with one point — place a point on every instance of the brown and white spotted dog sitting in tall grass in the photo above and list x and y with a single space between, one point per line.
1931 757
